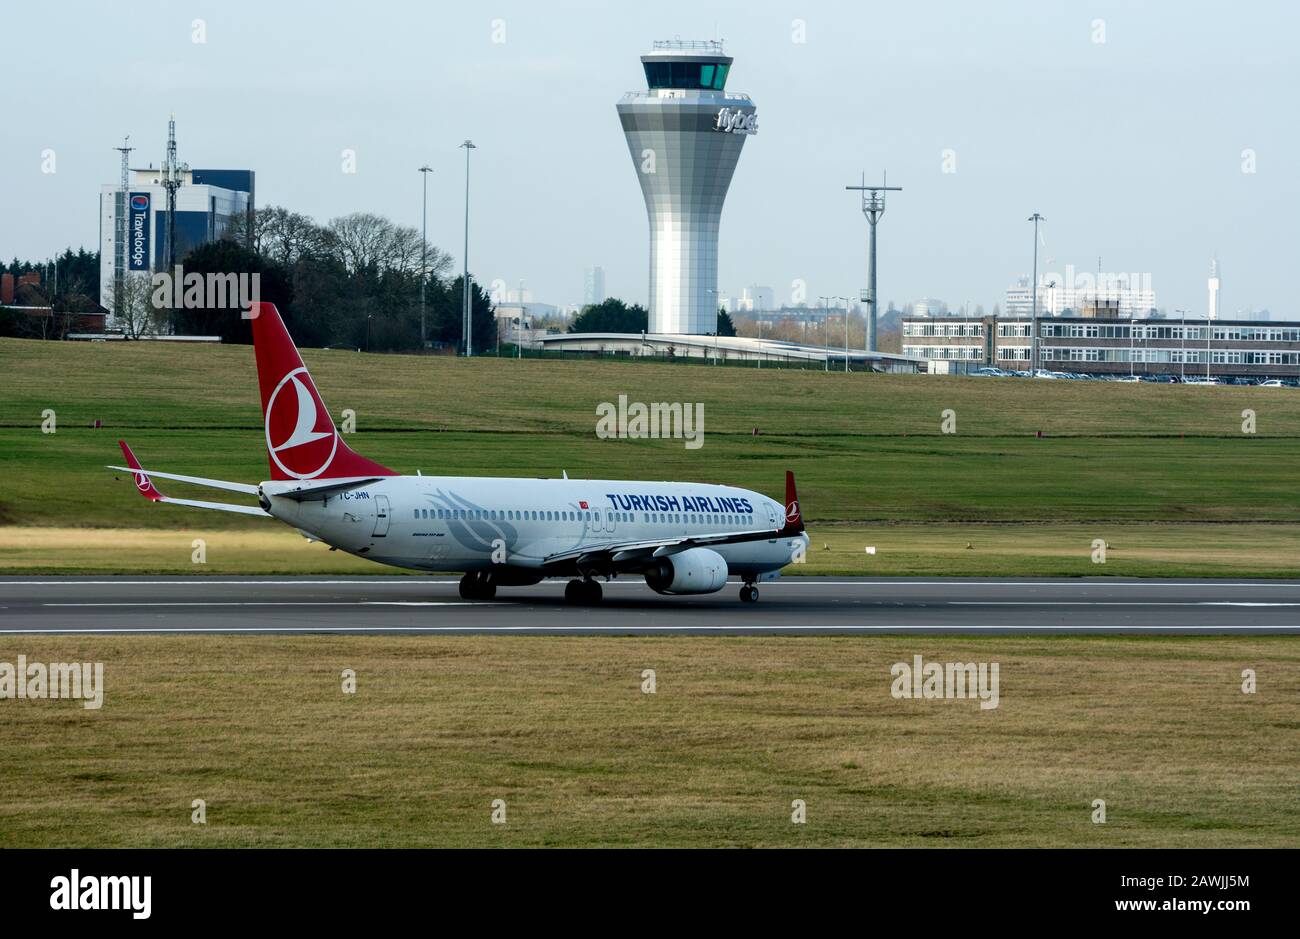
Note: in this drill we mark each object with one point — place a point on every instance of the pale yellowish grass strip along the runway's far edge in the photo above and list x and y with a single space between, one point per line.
1012 549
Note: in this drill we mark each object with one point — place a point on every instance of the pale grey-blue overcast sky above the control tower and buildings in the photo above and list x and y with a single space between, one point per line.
1132 148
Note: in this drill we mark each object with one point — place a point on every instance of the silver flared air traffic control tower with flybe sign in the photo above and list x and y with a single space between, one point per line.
684 136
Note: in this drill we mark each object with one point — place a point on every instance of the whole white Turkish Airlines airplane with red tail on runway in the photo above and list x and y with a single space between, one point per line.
683 538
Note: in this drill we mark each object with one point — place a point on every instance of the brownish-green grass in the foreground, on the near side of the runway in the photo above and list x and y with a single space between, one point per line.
736 732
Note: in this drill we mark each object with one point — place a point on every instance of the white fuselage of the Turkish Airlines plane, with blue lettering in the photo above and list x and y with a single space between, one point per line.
471 523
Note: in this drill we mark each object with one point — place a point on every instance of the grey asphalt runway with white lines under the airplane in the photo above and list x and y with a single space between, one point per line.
829 607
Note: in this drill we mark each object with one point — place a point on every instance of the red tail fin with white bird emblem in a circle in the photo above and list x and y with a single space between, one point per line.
302 442
